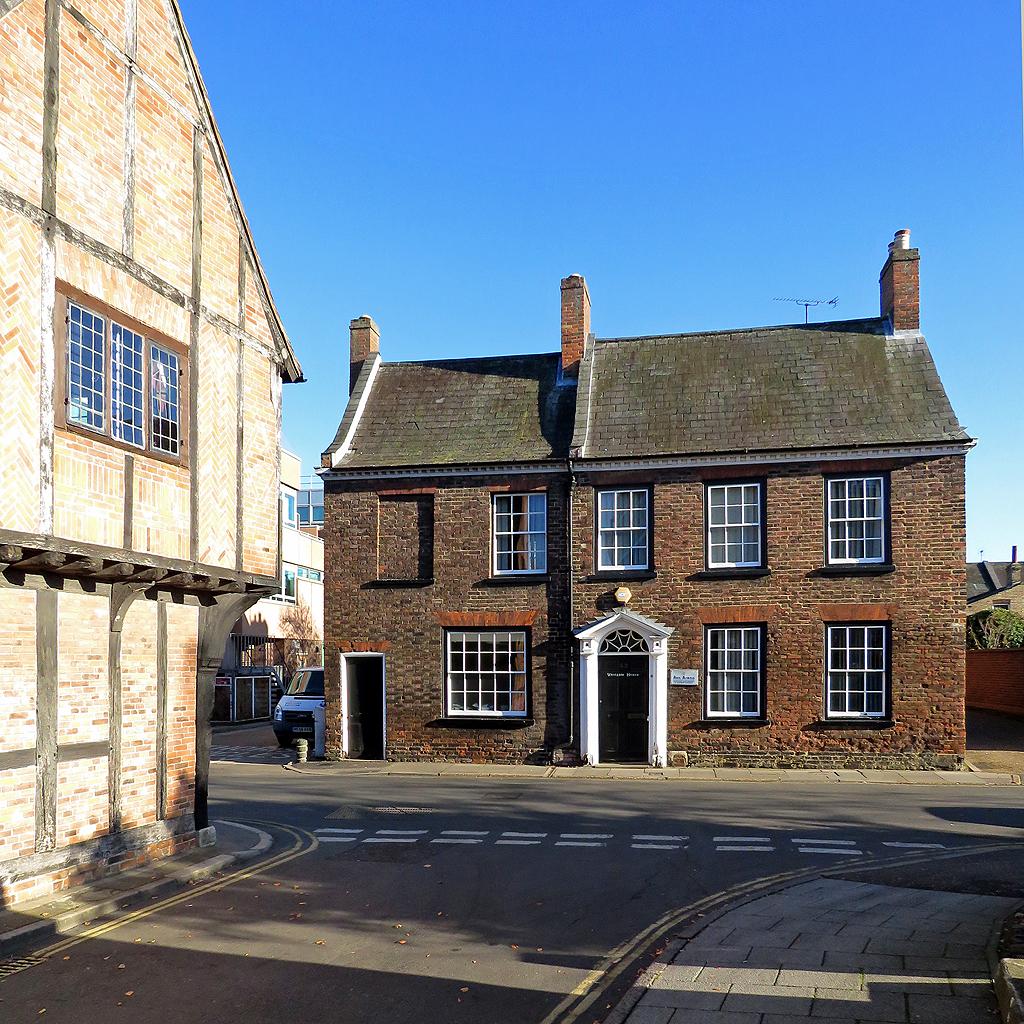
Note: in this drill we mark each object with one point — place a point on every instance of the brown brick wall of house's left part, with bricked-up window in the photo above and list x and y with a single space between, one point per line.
360 615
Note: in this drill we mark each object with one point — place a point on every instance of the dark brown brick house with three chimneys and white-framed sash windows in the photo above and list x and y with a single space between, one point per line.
741 547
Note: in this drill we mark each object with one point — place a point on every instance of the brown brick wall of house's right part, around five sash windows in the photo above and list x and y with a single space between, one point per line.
926 592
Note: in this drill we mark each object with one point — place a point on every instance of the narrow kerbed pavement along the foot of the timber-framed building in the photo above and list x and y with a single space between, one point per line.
35 923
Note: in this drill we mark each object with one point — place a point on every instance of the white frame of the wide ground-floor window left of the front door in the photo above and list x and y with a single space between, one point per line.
460 665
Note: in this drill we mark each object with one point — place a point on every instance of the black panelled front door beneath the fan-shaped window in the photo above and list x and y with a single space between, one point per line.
624 704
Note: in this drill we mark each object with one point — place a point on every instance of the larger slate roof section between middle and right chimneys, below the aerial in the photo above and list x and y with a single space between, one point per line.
823 386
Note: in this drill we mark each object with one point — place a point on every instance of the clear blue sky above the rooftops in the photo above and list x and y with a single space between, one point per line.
442 167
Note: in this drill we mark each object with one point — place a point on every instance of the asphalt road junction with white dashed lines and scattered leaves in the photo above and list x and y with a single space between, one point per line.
405 900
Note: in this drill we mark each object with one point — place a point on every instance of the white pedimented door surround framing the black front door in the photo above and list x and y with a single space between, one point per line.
657 636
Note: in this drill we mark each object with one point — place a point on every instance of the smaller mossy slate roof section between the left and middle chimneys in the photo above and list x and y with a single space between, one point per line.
457 412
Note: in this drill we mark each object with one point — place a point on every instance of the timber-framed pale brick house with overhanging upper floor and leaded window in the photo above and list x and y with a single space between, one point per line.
143 361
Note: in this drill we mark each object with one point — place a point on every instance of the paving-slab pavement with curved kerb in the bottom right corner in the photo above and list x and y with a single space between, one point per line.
831 952
